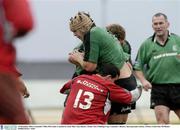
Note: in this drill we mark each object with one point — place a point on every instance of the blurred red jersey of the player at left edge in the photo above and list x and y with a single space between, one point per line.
18 14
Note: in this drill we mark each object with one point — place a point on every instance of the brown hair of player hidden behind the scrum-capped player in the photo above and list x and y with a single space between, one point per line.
117 30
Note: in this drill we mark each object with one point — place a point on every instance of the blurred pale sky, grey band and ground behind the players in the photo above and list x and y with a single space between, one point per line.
42 55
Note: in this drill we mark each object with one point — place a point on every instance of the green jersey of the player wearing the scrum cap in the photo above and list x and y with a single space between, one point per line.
102 47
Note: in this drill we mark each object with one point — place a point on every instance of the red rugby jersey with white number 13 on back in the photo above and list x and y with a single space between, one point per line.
89 100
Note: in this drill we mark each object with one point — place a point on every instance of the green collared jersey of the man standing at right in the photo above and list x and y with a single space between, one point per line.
162 62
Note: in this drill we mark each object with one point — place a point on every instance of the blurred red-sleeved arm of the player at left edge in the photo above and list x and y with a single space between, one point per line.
17 20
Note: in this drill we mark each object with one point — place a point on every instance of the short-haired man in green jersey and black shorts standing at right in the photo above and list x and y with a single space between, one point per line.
157 66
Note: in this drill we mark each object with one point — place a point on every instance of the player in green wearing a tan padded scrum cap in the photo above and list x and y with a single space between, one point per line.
101 47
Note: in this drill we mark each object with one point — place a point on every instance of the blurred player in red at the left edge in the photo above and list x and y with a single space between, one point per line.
15 21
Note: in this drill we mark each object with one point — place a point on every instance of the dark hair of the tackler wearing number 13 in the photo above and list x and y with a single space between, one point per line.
109 69
